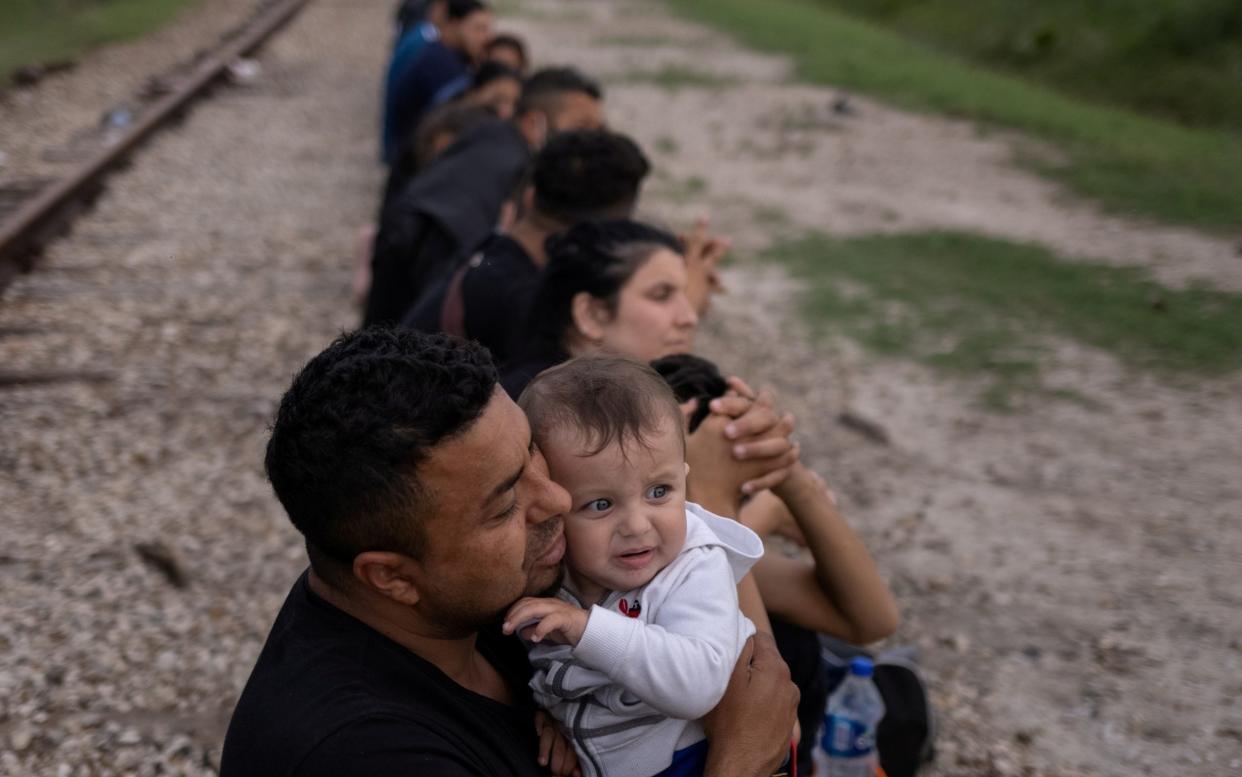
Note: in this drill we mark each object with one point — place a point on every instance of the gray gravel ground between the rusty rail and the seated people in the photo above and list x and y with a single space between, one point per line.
175 316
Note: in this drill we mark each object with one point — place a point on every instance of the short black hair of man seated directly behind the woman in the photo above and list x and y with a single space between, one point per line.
588 174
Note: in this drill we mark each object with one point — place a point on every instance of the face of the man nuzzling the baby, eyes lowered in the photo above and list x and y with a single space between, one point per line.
495 528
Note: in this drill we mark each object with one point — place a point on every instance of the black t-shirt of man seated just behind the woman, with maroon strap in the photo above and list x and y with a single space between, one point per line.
497 289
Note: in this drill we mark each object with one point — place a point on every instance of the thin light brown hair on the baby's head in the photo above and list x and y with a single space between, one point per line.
607 400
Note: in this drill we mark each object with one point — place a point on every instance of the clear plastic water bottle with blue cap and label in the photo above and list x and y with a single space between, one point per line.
846 747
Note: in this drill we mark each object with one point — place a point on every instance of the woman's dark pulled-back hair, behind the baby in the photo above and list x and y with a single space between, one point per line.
597 258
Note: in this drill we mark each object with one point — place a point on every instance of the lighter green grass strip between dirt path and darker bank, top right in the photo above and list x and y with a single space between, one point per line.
1127 162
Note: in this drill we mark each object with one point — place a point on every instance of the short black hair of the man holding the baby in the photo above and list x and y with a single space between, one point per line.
353 429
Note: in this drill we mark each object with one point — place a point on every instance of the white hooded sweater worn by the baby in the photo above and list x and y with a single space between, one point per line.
653 661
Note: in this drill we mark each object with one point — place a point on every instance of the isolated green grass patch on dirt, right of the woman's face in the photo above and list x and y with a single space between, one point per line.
992 308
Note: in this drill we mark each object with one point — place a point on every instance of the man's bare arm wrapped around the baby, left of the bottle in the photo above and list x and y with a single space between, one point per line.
750 732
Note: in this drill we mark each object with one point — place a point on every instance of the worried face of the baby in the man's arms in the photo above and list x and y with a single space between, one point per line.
628 514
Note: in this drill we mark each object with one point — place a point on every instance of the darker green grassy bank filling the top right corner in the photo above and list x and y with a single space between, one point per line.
1176 59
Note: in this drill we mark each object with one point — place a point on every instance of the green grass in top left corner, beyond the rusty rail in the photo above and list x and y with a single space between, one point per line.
48 32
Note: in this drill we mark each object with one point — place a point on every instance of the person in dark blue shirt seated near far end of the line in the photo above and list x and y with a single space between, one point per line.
427 59
